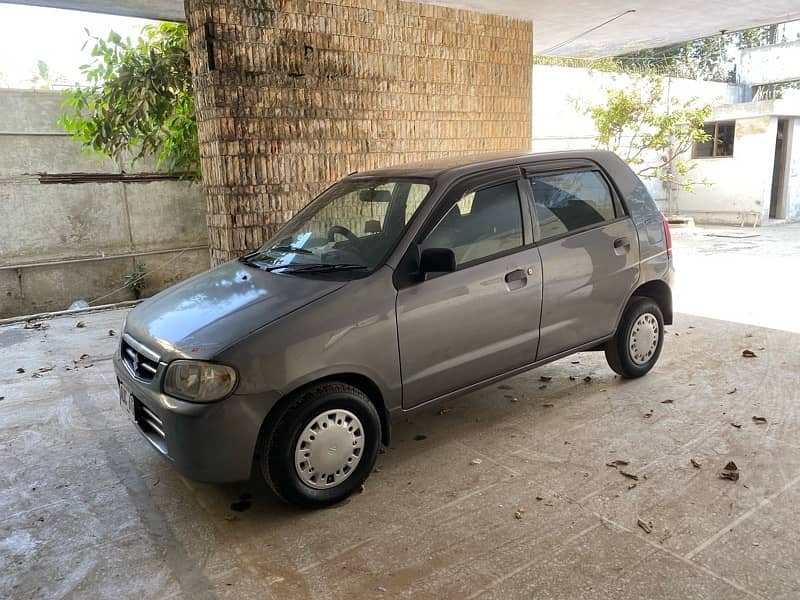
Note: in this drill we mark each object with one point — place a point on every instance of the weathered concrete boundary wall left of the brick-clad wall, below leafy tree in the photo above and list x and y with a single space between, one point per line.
72 227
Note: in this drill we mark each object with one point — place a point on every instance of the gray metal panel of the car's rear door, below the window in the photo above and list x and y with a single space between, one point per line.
586 280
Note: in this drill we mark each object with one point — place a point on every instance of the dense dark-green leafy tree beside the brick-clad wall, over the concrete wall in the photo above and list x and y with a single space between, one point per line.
138 100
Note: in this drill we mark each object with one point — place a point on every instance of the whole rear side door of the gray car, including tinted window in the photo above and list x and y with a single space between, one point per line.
589 250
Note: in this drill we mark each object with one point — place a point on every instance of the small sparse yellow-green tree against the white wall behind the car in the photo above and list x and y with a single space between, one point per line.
652 135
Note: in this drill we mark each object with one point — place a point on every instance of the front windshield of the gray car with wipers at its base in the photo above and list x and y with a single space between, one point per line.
351 227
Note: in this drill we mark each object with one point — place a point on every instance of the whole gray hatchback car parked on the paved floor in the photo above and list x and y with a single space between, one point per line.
391 290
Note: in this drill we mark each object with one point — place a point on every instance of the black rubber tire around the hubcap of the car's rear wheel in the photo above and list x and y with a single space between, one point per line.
618 352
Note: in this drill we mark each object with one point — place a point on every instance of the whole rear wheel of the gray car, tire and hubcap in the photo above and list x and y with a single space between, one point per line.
636 346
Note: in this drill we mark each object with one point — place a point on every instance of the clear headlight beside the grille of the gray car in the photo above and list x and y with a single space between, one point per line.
199 381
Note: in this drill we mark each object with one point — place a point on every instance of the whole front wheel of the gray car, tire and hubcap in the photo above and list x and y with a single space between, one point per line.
322 445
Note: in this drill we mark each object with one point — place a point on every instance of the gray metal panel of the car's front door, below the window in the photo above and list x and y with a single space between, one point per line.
469 325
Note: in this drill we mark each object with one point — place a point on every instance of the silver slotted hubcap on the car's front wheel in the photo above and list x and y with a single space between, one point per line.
329 449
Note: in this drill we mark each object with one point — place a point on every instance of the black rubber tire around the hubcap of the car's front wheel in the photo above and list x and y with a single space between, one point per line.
276 455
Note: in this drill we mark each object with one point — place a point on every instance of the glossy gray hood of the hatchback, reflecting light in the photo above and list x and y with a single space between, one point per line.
207 313
